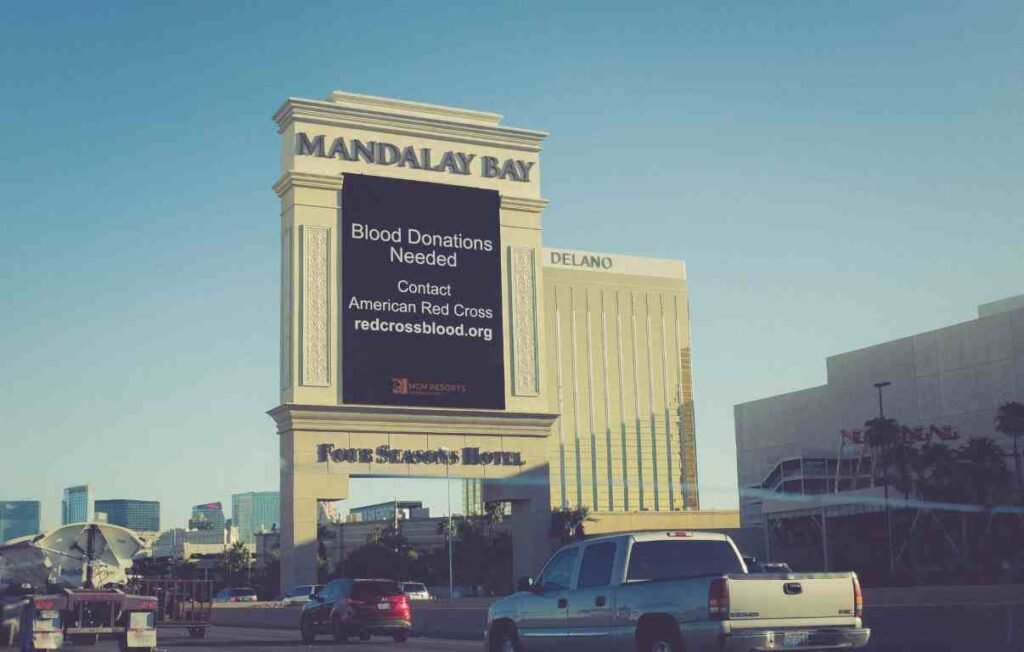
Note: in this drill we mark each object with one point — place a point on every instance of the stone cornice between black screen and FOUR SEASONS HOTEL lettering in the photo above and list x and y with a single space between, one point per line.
425 421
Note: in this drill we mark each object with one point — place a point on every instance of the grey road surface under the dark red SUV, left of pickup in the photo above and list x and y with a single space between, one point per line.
229 639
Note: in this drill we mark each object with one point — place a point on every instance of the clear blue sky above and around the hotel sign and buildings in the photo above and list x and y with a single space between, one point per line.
835 175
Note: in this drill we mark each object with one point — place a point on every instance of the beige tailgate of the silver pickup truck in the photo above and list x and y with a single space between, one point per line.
793 596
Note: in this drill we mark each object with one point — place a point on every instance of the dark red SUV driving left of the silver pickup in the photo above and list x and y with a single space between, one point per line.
358 608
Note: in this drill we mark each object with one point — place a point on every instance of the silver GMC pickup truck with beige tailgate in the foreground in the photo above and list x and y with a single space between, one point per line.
669 592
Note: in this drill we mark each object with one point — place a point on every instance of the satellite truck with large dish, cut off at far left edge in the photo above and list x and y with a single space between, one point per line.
67 586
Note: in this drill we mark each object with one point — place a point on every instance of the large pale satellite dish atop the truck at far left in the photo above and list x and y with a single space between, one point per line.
73 556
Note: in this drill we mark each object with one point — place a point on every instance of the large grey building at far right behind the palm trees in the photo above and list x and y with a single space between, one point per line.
946 386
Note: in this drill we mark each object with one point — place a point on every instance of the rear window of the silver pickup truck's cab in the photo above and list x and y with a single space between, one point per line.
666 560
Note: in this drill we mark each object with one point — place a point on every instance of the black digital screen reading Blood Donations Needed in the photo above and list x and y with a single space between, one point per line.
421 305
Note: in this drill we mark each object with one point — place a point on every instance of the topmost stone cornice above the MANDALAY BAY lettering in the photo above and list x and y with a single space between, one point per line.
417 124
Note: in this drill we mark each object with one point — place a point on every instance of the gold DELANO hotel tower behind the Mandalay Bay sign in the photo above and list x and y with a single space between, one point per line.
619 370
